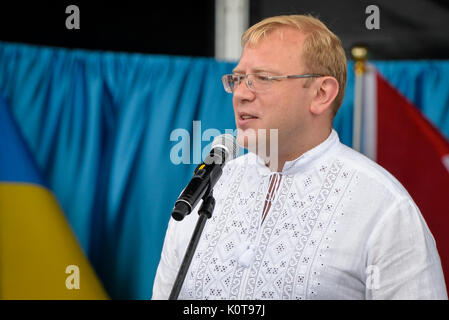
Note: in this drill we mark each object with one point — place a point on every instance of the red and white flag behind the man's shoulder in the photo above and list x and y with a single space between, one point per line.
396 135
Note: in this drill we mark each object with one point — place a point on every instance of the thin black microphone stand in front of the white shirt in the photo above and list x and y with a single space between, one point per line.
205 212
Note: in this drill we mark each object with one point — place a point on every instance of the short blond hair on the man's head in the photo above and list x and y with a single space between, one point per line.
322 52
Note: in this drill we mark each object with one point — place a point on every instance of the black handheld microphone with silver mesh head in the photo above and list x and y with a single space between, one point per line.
224 148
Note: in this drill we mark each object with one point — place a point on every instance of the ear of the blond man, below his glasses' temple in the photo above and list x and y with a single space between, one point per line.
326 91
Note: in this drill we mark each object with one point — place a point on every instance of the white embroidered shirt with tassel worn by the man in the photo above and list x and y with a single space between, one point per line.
332 225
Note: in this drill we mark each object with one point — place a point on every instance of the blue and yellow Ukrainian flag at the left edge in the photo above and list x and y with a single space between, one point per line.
40 257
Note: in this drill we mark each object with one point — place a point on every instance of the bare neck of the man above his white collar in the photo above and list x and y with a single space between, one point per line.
296 149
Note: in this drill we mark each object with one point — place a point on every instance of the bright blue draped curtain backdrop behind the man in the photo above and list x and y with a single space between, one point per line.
99 125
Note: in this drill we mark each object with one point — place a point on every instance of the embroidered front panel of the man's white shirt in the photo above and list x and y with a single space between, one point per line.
280 253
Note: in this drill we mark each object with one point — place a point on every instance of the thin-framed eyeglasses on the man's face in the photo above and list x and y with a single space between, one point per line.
258 82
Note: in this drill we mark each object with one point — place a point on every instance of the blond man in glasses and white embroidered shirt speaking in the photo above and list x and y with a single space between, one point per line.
311 218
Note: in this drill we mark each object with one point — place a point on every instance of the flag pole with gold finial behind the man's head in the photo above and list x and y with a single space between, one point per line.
359 54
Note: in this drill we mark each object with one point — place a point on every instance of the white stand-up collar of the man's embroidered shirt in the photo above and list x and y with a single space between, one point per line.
300 163
